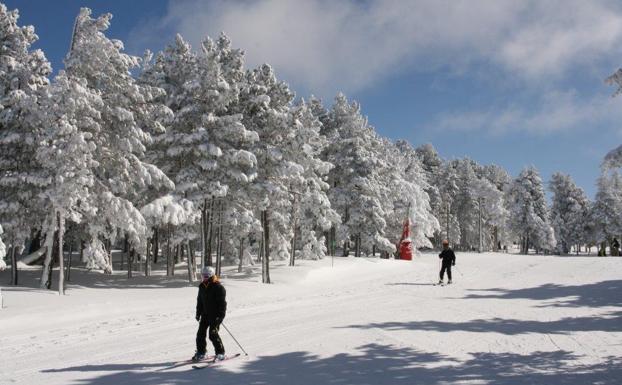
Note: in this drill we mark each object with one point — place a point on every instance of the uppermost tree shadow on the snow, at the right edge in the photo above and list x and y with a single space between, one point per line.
605 293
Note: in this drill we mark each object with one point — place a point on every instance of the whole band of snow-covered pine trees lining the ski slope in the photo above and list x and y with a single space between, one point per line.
188 151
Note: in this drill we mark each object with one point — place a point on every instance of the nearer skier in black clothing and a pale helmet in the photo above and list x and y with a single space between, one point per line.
211 310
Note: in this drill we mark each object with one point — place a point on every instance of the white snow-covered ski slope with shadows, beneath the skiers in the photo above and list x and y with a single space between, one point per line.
509 319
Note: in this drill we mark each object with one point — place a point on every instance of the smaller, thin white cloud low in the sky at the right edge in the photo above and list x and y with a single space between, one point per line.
555 112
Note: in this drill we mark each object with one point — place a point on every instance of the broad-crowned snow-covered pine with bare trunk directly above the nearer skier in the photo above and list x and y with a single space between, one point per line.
206 147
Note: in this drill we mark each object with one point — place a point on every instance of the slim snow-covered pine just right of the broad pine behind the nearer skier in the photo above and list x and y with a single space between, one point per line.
265 106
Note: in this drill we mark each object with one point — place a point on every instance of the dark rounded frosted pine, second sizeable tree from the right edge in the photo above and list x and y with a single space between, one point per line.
568 212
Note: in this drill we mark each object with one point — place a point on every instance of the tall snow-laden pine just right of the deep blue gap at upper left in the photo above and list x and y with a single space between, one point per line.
128 118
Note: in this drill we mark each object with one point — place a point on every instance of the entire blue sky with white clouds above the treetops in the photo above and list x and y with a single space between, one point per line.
510 83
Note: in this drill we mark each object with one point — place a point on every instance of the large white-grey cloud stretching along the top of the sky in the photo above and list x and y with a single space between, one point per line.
325 45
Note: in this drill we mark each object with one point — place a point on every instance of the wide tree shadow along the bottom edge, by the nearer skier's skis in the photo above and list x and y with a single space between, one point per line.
374 364
